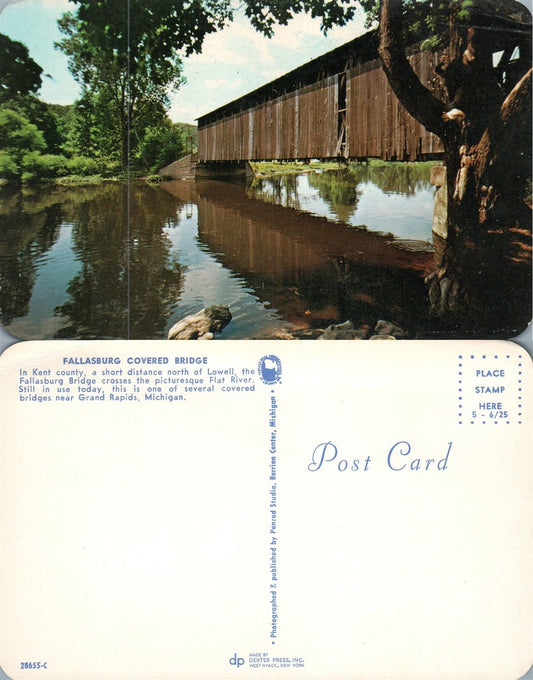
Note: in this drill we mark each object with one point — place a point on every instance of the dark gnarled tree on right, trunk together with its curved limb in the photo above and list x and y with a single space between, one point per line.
482 287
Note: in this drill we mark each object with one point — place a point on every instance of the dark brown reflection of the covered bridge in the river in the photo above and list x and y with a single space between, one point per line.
312 270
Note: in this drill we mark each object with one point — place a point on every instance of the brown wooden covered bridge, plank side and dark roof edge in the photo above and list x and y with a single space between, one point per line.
338 105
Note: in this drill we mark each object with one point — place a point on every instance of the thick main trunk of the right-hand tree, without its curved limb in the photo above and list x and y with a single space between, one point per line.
484 284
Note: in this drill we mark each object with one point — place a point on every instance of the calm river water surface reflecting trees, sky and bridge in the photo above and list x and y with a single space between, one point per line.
285 253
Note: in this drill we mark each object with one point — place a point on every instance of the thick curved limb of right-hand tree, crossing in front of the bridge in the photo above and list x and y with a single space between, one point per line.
416 98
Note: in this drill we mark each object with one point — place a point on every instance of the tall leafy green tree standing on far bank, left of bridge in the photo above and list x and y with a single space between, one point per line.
116 54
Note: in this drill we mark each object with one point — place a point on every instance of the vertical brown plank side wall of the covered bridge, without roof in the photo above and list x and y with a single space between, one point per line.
303 124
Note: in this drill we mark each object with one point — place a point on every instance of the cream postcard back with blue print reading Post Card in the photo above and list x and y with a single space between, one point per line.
226 509
